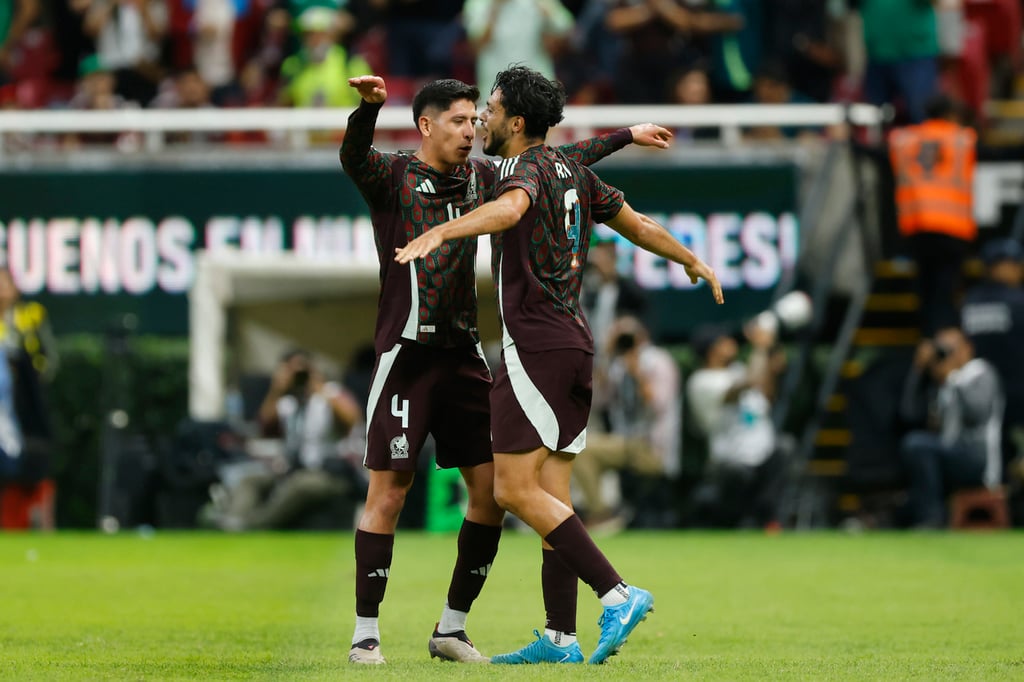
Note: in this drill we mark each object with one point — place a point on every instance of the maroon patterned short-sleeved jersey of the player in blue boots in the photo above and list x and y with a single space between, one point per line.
539 264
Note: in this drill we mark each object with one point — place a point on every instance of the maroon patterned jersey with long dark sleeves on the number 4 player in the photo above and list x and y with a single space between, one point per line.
431 301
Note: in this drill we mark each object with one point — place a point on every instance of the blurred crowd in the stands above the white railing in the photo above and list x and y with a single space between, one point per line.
198 54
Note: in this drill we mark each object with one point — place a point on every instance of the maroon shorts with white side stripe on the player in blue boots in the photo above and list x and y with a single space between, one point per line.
542 399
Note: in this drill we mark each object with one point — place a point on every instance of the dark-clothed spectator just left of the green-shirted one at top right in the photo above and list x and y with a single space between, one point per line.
805 37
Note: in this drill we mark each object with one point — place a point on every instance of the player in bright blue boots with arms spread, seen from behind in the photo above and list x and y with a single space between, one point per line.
540 403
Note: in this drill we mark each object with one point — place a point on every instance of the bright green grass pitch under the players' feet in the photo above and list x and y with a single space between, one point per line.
730 607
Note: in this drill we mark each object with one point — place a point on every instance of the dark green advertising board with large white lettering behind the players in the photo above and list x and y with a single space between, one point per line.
93 246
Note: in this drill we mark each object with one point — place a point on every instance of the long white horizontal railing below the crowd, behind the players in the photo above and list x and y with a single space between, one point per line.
297 122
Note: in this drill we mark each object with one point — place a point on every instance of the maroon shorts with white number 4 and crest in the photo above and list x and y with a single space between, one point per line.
419 390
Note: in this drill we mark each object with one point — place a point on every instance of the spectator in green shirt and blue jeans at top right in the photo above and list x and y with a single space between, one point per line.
902 40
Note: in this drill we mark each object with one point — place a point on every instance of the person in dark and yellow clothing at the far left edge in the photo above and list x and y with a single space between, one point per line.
28 360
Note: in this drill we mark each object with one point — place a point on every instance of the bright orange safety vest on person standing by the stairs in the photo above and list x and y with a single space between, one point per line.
934 167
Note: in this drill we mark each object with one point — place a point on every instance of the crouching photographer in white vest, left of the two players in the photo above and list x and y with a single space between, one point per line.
312 417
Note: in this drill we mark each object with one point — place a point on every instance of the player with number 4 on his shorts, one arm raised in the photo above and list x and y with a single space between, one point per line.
431 377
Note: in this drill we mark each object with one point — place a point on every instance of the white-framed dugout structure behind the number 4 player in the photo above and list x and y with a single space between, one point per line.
245 310
